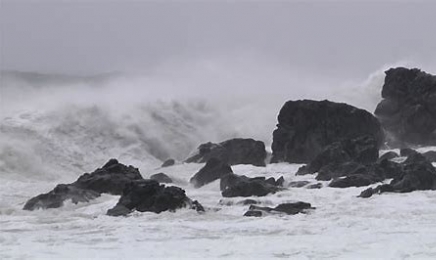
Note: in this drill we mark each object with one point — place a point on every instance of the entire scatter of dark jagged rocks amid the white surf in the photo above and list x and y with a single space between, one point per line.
338 142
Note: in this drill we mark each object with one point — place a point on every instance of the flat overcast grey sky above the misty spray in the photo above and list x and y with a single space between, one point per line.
96 36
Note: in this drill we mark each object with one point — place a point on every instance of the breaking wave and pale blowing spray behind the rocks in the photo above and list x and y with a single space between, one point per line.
53 124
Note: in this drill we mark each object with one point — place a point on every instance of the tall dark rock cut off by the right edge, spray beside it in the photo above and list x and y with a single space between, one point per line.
408 108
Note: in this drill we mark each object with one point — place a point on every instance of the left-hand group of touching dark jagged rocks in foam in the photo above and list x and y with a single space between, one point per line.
117 179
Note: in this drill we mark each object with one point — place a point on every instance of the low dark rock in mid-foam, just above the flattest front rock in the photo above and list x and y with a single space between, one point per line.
233 185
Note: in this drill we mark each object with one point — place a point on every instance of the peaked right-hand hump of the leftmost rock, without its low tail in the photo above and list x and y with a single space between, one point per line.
111 178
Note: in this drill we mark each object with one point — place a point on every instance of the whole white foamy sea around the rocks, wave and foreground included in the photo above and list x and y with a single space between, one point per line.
54 128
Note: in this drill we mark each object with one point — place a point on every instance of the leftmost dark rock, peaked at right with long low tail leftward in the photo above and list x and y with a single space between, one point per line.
111 178
